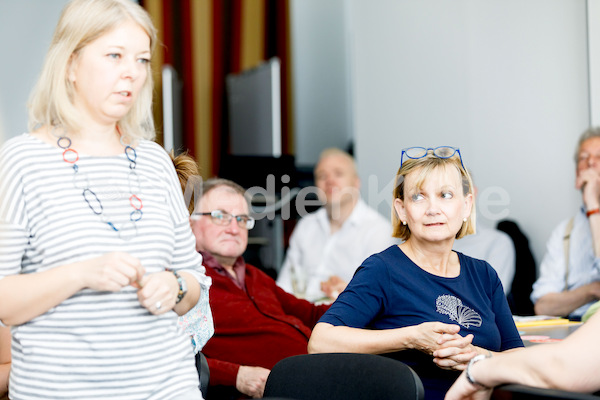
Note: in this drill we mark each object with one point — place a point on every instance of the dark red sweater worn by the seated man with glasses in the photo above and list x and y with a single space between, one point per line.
256 327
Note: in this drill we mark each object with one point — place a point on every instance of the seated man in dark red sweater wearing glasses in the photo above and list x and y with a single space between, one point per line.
256 323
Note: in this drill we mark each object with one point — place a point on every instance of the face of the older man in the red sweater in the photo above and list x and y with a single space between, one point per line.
228 242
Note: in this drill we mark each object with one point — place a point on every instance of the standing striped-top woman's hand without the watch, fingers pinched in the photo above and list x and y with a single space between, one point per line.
112 272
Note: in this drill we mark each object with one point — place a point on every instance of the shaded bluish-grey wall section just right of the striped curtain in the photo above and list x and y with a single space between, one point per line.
320 78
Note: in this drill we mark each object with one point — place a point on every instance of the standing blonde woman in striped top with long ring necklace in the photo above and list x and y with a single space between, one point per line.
97 259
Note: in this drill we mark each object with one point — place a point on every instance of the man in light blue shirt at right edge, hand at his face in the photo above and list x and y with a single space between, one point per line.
569 281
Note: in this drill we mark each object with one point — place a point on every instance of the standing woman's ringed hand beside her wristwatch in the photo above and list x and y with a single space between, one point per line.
158 292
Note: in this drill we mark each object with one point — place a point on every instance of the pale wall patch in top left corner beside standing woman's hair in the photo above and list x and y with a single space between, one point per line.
26 28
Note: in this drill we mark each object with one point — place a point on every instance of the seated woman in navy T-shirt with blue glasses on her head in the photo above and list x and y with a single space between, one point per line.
434 308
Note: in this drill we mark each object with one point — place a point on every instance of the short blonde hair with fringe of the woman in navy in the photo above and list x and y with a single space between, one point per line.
424 166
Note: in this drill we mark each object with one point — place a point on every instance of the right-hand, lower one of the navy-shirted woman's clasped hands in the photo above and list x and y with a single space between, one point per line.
454 351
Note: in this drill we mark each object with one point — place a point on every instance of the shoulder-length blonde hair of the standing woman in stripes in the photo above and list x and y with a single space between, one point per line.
81 22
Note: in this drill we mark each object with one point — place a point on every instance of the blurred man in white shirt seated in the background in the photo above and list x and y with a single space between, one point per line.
327 246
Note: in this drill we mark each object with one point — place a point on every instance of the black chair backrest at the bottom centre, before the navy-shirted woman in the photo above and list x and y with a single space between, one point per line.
343 376
